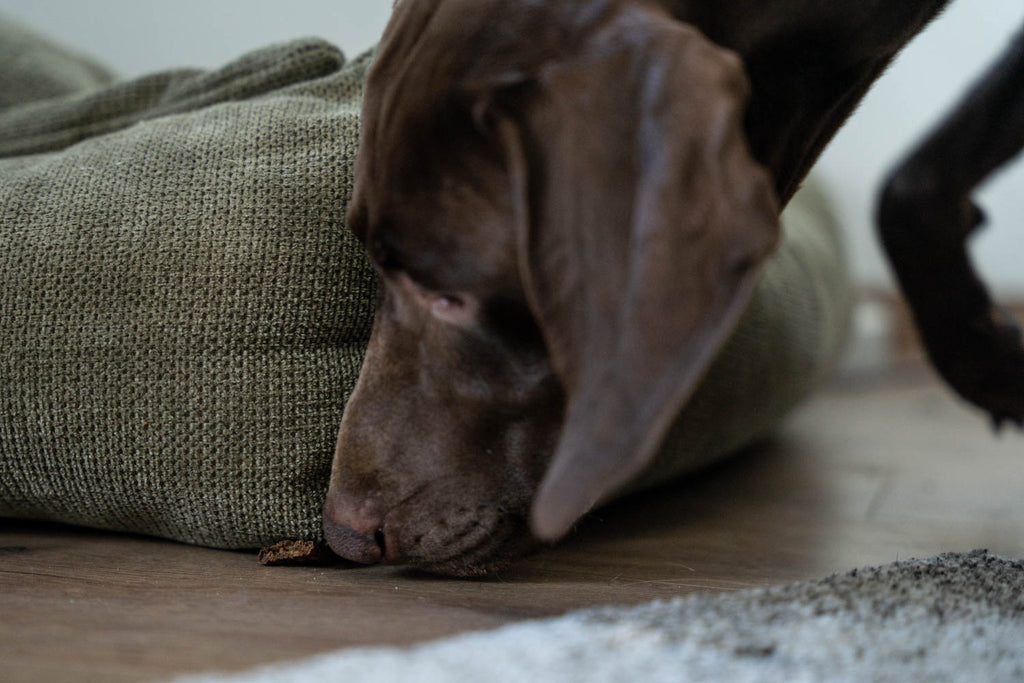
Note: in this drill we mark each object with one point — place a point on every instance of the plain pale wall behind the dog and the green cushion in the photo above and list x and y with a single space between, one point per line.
140 36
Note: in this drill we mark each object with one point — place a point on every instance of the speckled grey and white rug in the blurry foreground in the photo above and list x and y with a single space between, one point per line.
952 618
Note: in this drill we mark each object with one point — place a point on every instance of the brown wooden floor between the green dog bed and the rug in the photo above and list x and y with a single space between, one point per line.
869 473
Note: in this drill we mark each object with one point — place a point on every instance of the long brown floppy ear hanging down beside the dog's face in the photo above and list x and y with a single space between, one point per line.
644 226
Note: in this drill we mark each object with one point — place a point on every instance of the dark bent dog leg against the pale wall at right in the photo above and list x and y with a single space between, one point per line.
925 218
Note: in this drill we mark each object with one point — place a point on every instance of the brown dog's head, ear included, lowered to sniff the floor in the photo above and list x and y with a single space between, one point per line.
567 221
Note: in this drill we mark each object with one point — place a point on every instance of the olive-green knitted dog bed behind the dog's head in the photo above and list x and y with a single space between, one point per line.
185 314
